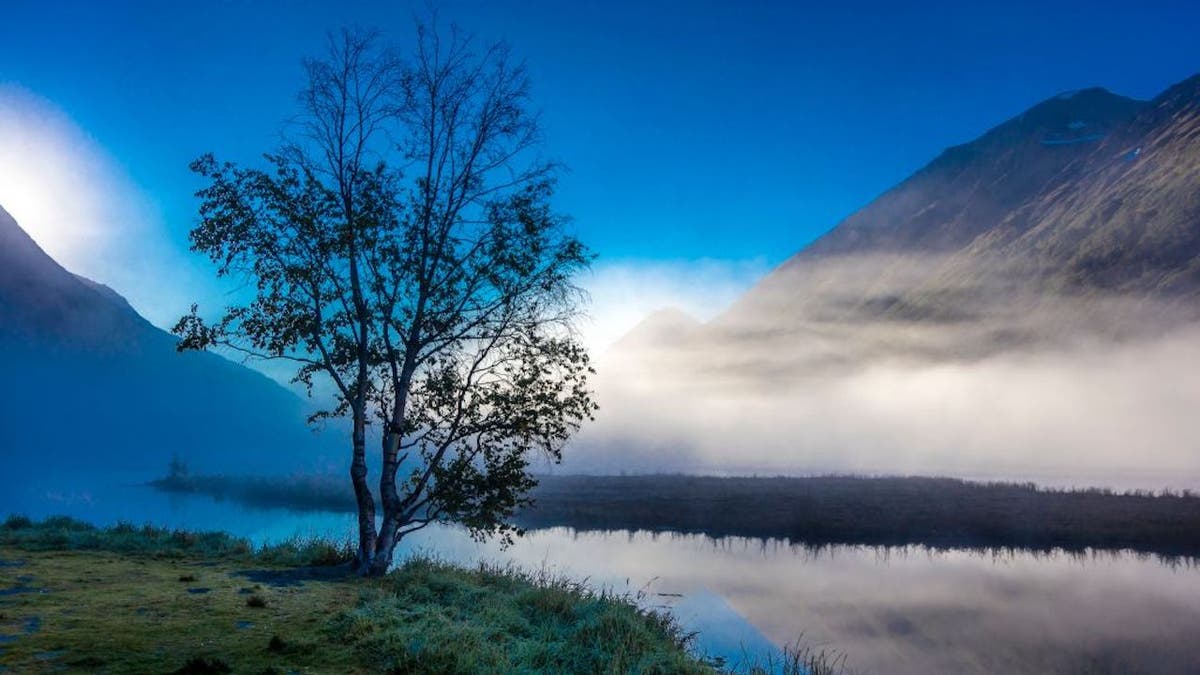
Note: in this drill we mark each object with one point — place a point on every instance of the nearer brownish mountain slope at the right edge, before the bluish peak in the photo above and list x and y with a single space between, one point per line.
1129 219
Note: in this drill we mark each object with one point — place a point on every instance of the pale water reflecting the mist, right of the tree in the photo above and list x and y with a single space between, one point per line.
915 611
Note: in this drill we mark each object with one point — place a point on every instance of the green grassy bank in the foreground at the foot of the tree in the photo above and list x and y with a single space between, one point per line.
143 600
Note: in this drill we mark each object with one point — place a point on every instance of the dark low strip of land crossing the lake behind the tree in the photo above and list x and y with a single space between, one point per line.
941 513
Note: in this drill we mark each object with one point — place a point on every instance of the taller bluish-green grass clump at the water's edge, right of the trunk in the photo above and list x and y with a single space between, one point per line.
439 617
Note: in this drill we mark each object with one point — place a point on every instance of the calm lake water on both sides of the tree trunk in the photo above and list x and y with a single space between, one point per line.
889 611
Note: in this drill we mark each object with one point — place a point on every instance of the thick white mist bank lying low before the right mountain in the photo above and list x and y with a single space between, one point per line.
1060 390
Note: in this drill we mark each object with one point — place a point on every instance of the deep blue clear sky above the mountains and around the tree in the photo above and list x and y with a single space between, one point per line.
704 139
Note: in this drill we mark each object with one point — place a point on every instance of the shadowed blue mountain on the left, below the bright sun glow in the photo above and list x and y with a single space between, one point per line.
91 386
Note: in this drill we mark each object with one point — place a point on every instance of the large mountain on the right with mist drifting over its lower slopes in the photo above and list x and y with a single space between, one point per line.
1078 219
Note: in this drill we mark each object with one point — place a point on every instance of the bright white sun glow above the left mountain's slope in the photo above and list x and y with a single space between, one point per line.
79 204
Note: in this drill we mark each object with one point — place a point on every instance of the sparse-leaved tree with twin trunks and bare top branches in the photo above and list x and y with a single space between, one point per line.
404 253
